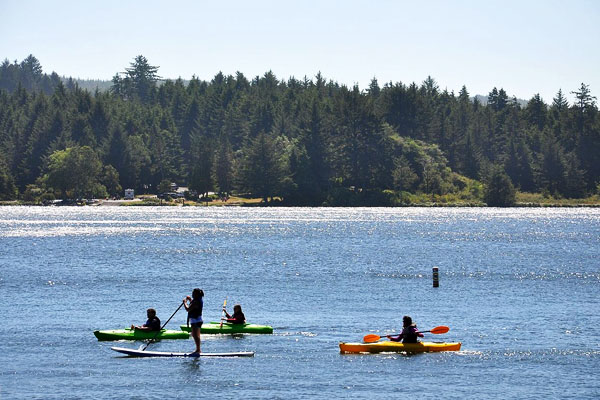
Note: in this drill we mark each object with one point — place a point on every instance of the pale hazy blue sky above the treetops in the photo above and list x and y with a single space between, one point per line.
525 47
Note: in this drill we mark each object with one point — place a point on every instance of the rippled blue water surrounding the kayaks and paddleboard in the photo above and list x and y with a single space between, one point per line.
518 287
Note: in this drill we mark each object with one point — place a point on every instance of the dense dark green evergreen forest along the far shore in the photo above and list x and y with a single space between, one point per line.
296 142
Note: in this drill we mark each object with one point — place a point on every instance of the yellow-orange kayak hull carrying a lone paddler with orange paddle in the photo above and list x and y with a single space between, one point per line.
397 347
